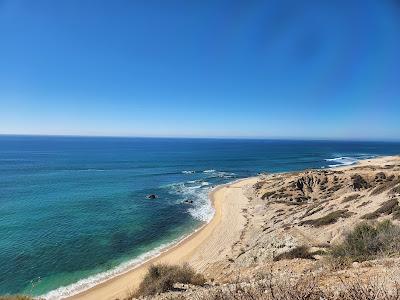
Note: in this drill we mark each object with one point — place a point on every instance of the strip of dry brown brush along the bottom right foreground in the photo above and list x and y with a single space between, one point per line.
305 288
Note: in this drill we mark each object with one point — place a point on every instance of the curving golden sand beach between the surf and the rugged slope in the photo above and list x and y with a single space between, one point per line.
206 246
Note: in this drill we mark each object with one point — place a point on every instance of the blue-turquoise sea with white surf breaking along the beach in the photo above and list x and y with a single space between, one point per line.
73 210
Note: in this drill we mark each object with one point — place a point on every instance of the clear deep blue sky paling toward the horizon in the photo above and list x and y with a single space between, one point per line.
303 69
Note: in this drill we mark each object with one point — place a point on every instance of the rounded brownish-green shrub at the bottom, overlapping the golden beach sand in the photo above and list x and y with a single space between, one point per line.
161 278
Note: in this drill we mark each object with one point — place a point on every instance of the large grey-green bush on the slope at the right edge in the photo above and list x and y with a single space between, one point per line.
369 241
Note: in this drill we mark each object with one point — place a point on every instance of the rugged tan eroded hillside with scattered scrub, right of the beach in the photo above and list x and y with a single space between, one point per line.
316 207
